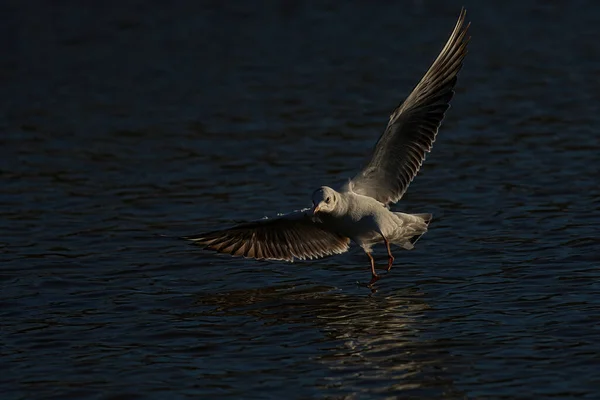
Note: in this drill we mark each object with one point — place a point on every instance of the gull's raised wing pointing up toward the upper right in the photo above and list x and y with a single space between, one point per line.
413 126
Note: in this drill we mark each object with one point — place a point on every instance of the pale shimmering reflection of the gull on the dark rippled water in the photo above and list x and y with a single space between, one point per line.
370 343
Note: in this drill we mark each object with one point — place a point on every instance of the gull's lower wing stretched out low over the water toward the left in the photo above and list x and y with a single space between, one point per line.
295 235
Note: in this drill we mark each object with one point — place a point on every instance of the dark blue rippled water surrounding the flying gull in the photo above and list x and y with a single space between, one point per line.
131 119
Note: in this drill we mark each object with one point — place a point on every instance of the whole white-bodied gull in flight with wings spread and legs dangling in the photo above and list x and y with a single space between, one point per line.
359 211
